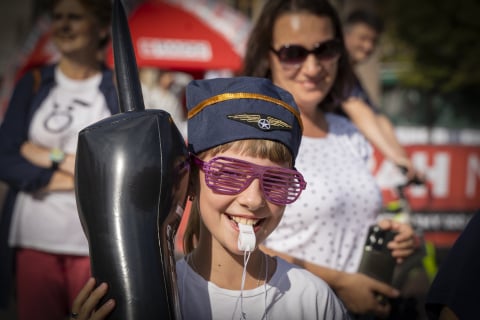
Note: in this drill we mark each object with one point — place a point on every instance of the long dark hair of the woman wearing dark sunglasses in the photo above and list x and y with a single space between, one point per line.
256 62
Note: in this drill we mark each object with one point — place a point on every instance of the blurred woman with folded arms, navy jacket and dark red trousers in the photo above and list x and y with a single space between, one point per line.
38 140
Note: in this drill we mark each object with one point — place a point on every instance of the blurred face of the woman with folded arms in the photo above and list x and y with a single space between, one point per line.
75 30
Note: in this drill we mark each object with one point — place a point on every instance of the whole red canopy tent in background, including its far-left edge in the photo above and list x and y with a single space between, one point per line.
193 36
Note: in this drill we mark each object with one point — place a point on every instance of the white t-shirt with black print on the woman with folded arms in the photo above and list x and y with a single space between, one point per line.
50 222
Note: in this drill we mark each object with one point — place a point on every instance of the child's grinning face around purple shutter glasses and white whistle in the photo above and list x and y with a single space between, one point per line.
221 213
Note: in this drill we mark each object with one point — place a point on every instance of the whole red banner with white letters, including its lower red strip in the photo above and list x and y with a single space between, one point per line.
442 206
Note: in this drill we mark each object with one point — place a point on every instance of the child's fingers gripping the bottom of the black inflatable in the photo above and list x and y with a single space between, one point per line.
86 301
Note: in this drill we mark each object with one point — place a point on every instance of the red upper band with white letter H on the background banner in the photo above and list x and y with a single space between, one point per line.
453 177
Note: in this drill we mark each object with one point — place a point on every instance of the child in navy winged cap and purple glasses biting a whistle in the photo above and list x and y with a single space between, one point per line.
244 135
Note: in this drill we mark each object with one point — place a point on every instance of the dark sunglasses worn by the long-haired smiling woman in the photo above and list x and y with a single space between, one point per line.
296 54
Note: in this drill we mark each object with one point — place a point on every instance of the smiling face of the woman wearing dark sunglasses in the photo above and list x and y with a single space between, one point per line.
311 80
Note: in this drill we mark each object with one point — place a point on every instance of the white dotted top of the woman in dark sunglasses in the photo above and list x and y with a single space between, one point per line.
328 224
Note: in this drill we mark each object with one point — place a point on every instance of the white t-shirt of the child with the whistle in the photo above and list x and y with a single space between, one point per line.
292 293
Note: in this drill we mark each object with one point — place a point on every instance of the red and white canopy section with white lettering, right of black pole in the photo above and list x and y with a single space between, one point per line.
190 36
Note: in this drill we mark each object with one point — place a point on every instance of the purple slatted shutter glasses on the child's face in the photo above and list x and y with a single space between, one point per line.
231 176
